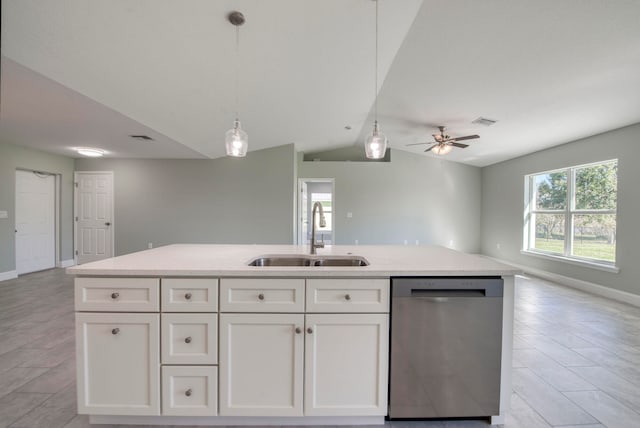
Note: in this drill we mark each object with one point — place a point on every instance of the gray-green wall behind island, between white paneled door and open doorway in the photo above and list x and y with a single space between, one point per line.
226 200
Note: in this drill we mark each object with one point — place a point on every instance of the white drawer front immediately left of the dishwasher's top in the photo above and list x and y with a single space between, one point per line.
348 295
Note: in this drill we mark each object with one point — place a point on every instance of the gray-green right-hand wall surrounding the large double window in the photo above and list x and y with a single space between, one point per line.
503 205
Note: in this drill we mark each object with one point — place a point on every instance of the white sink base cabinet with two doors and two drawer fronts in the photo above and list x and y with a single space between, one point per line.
304 364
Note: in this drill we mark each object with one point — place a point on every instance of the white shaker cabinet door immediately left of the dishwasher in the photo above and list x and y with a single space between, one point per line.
346 364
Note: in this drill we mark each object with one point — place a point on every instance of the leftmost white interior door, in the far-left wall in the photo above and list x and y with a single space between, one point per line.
35 222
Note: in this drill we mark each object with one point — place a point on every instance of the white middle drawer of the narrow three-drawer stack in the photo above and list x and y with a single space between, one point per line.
189 338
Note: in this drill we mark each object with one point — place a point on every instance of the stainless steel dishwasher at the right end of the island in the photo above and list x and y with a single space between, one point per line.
446 342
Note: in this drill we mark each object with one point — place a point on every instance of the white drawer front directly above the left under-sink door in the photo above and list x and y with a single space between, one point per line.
261 295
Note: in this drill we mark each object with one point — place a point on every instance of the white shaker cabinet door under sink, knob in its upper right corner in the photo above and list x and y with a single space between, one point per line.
261 358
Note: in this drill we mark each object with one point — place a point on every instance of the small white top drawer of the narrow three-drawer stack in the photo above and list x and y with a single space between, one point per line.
189 295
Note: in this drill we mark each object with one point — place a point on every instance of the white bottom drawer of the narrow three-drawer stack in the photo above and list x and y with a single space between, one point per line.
190 390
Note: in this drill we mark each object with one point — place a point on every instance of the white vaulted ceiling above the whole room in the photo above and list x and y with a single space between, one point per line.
78 73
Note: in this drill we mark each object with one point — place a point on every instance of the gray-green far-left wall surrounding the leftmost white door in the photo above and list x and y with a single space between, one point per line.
16 157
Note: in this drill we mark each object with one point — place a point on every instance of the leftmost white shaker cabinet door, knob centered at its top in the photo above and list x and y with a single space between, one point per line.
118 359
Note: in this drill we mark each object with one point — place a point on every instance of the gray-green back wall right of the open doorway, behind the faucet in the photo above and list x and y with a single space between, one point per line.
410 198
